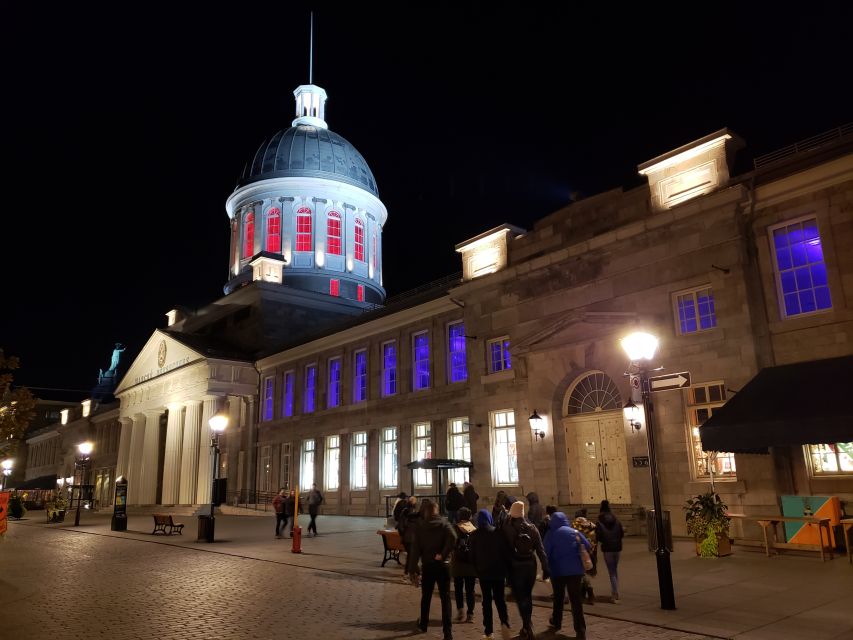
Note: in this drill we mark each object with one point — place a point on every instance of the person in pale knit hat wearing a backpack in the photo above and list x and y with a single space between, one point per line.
525 545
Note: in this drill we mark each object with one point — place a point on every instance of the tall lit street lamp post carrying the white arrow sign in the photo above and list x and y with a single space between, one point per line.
641 348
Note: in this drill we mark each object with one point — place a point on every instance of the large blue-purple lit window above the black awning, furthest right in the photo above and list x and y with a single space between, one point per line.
800 269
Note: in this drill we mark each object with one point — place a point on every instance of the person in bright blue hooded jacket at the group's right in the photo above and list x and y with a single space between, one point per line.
562 546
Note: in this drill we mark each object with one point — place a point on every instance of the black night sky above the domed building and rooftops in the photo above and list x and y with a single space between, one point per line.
126 130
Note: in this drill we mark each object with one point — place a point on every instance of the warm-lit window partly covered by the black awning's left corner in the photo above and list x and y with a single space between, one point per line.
702 400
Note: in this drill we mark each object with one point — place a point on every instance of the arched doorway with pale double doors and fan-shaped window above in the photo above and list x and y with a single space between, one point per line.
595 440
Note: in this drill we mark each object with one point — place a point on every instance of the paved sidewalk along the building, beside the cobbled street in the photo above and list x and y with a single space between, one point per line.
745 596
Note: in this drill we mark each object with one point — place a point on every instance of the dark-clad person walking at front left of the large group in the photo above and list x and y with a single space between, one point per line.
433 544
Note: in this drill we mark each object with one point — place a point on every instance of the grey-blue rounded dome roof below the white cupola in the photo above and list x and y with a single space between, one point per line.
308 151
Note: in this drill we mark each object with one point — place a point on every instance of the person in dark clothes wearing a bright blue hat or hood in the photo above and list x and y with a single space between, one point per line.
490 557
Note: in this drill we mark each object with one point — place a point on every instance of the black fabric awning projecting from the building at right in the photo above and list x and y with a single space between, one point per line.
793 404
